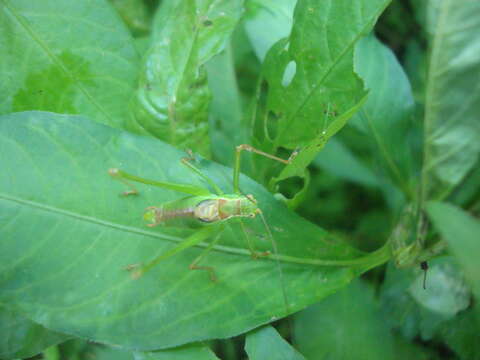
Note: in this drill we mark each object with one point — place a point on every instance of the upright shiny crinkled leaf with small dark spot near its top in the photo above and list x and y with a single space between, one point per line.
173 96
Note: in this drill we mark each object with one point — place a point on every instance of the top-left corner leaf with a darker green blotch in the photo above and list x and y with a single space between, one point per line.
66 56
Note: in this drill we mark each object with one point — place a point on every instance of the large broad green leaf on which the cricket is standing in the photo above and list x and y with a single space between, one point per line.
67 236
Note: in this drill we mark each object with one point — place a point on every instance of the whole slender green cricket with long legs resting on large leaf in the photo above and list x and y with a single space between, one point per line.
202 210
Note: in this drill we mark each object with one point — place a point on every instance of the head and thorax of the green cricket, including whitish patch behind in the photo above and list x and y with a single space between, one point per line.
225 208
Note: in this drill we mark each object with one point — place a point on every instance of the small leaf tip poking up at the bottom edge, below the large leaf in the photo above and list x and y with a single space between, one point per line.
266 343
